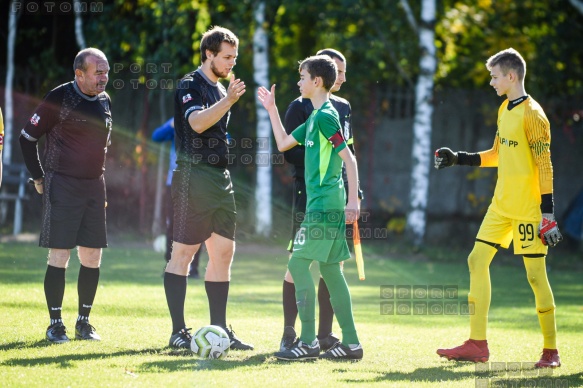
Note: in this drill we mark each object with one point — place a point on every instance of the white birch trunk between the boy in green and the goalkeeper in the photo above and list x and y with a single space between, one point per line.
421 151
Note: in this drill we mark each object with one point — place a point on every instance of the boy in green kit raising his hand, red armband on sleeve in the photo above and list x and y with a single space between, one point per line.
321 236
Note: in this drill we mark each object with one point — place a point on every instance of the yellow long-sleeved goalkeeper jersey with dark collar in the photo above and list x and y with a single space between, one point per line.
522 154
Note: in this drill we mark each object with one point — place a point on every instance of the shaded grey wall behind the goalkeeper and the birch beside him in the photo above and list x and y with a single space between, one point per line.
458 197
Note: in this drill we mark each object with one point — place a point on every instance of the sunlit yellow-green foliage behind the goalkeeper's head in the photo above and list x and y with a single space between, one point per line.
547 34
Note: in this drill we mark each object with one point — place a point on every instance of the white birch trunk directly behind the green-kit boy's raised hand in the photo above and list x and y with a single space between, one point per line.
263 217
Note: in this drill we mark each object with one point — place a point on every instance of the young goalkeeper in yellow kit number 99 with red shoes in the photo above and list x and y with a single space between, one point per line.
521 209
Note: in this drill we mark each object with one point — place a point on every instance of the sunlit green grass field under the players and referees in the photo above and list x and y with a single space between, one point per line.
130 314
